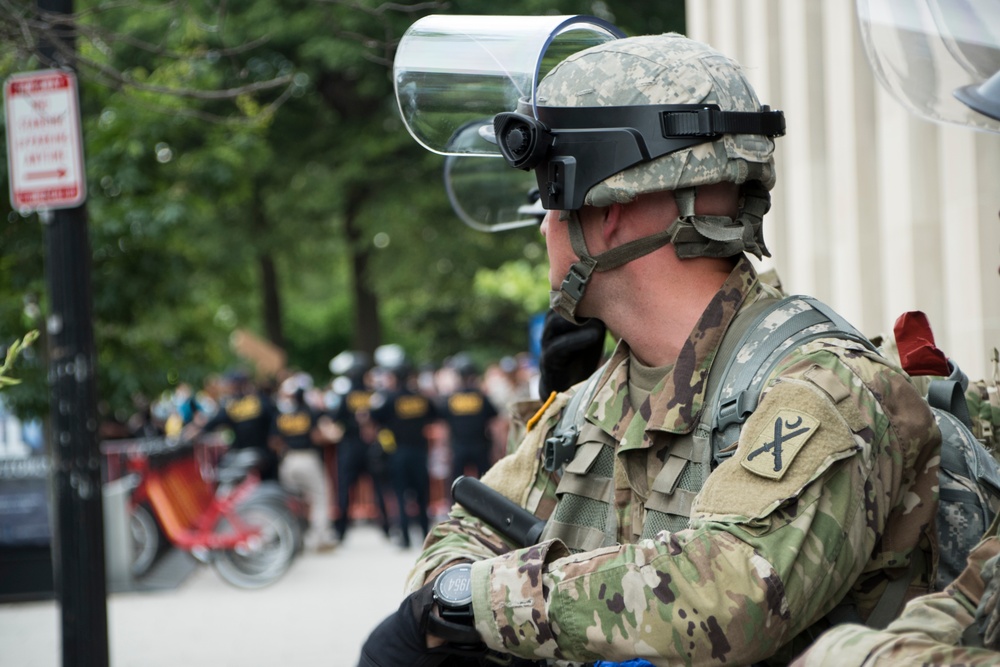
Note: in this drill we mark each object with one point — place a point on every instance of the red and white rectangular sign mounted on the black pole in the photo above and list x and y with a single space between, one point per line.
44 145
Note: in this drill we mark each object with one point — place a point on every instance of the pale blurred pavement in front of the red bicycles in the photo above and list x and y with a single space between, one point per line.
318 614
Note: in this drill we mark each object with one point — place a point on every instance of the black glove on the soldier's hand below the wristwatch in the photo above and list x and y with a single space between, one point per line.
401 639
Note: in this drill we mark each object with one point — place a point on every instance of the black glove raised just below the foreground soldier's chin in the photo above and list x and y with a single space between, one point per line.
570 352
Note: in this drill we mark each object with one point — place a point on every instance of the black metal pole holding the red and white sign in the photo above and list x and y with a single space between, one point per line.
78 535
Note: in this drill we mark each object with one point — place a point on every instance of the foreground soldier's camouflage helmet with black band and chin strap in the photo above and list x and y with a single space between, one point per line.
696 120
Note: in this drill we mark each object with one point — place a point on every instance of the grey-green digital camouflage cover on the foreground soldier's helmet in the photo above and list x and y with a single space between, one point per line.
664 69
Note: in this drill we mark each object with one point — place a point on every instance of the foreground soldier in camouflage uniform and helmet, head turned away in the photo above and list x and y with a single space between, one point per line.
649 552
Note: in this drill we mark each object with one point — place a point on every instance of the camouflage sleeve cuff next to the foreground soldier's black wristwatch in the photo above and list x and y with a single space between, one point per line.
507 596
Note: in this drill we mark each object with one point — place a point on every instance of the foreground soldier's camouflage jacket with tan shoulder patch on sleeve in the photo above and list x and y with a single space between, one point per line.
765 554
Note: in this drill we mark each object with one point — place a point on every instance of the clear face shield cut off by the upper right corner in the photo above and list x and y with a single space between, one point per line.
939 58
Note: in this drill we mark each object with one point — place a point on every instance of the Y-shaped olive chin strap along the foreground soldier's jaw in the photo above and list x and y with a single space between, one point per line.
565 300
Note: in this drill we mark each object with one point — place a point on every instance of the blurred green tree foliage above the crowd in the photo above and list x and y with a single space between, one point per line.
247 168
